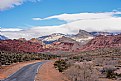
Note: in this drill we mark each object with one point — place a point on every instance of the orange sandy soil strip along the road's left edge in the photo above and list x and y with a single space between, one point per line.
5 71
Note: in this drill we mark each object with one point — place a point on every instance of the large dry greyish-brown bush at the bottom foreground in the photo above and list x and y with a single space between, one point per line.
82 72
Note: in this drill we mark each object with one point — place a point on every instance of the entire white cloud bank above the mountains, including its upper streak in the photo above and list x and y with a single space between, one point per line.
87 21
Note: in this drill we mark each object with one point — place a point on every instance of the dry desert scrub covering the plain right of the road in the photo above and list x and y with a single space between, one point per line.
93 65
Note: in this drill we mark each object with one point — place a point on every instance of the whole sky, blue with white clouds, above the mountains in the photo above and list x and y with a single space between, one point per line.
35 18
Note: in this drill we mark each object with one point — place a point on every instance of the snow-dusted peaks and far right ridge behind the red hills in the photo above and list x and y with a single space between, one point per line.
82 36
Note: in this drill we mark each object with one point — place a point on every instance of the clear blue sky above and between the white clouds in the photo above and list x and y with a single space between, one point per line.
21 16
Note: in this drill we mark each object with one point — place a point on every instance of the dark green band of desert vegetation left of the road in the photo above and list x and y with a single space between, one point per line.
7 58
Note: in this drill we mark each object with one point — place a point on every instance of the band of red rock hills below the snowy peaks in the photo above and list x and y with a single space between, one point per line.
64 44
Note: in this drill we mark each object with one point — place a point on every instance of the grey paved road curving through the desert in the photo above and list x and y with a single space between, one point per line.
26 73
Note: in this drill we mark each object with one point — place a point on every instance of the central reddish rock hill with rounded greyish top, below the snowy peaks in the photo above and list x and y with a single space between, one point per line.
64 44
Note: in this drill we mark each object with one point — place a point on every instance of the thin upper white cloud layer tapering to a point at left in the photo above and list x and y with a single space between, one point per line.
80 16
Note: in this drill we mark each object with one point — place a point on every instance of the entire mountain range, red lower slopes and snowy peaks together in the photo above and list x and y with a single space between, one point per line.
57 42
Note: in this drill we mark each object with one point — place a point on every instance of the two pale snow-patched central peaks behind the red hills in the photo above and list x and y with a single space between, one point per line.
83 36
